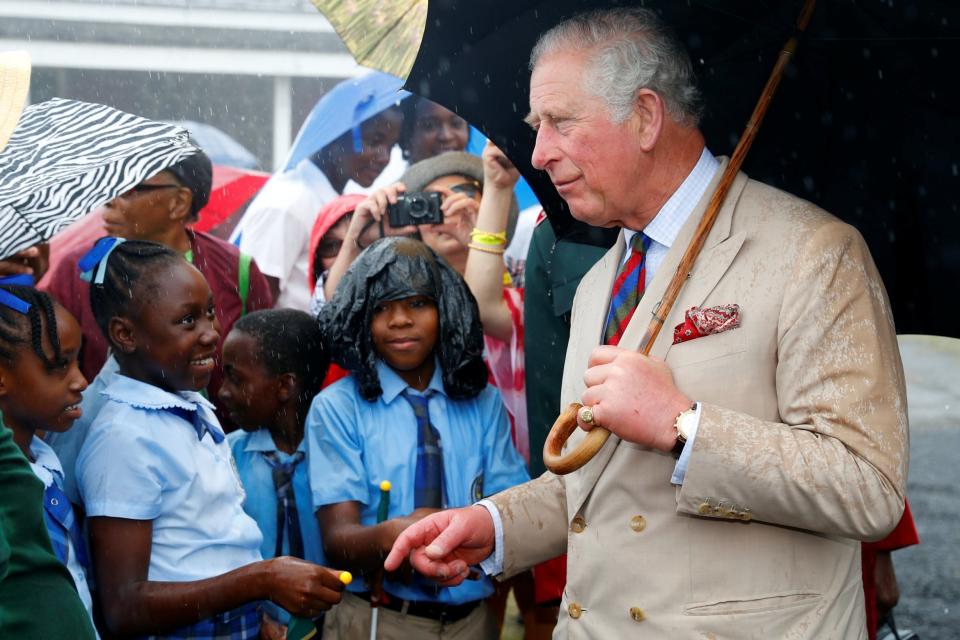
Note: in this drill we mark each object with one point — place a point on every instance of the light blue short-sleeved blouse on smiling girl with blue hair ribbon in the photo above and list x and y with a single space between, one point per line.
142 462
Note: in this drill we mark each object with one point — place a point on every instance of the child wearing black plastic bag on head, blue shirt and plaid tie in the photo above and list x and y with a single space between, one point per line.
416 410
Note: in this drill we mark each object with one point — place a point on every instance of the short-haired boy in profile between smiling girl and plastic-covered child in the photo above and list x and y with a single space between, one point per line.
273 364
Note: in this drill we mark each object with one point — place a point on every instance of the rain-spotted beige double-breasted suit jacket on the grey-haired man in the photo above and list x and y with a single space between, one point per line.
801 451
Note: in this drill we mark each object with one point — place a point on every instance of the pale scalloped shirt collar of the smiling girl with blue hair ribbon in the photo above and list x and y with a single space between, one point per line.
188 405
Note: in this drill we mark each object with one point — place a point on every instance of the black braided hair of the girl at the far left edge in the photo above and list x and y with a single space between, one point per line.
16 329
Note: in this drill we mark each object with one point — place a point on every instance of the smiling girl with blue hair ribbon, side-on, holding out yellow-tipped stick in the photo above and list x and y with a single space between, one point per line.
175 554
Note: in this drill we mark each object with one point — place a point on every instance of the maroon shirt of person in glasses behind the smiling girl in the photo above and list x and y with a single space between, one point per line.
218 261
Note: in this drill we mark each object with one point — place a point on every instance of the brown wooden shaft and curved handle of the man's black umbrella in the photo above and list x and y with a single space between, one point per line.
567 421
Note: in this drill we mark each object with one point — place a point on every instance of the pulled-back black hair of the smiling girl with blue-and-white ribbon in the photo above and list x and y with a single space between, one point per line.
128 280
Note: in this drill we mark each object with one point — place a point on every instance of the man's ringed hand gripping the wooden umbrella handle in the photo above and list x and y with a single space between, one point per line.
633 396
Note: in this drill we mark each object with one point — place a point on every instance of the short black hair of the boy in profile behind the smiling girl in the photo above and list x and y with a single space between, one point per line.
288 341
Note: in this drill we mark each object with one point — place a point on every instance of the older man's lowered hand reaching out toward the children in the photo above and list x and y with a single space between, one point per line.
443 546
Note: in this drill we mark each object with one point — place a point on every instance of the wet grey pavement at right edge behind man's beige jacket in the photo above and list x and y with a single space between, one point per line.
929 574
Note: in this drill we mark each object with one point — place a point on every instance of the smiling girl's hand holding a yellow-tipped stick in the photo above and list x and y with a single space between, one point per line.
302 588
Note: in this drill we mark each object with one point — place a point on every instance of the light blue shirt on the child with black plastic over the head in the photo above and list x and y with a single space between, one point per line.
354 445
